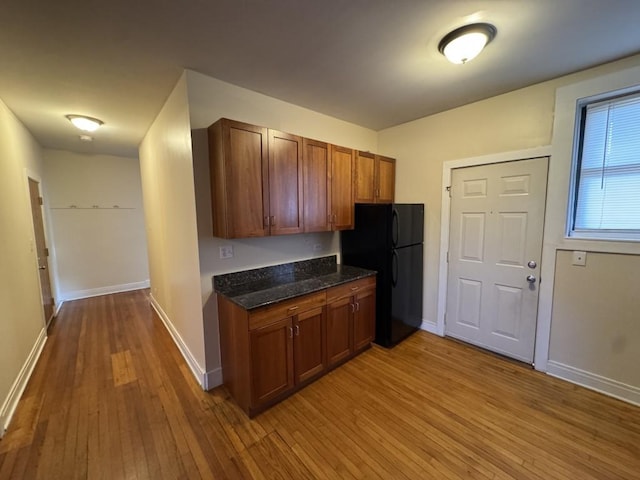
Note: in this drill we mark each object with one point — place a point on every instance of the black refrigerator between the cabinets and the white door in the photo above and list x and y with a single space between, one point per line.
388 238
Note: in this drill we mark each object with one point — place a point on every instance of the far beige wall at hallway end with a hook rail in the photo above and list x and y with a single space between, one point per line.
97 250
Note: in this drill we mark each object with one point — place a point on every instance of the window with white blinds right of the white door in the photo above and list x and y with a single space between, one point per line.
606 201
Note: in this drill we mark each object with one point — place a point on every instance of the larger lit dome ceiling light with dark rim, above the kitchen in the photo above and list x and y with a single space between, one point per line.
465 43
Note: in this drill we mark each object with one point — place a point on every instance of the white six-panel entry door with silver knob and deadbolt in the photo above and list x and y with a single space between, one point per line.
495 247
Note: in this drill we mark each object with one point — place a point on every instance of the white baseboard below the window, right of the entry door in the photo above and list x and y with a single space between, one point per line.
613 388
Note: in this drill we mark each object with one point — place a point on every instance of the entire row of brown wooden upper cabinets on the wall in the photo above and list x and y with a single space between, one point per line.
266 182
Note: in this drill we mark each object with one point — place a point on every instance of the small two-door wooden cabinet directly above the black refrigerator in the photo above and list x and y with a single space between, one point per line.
374 178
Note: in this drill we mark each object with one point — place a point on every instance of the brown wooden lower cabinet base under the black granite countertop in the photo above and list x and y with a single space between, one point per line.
270 352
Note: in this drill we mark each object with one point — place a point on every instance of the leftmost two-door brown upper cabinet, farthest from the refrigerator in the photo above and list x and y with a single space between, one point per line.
256 180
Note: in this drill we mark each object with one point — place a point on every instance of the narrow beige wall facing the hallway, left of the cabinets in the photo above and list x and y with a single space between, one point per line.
166 167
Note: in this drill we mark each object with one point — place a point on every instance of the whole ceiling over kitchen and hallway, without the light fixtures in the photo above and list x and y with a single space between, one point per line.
371 62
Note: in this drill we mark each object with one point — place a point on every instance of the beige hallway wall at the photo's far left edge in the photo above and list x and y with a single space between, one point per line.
22 320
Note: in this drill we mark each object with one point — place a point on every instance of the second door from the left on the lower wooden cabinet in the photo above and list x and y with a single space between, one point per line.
309 344
